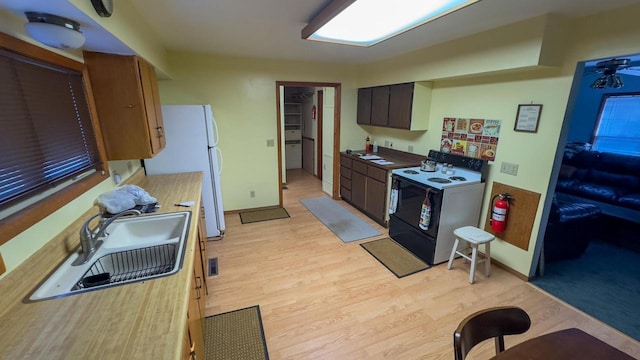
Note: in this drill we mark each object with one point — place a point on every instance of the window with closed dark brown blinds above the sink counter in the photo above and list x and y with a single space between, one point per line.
47 135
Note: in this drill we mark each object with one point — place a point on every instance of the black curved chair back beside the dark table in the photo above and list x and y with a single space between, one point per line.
486 324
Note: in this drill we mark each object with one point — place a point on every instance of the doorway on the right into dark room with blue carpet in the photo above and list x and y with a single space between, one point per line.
599 278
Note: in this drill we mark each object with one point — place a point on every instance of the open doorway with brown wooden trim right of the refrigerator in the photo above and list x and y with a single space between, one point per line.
319 143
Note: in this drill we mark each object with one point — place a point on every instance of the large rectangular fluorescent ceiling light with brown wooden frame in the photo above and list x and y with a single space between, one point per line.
368 22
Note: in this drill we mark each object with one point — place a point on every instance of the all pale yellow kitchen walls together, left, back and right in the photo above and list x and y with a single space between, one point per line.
488 74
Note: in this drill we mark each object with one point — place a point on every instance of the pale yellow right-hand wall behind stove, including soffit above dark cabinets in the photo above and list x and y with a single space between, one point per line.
495 94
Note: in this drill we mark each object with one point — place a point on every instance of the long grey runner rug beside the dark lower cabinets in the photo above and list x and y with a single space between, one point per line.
339 220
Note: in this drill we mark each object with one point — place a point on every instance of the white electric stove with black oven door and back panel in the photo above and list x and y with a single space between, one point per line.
455 201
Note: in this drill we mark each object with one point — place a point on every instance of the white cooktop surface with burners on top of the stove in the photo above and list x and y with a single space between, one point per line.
438 180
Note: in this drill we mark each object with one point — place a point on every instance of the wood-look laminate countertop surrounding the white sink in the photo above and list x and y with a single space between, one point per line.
145 320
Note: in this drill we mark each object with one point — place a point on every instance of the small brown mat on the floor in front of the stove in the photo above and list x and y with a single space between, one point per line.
394 257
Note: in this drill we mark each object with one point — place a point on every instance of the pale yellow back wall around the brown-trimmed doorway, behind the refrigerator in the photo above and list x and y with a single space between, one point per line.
242 93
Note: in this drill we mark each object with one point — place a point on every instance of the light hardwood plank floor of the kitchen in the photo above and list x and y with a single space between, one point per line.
323 299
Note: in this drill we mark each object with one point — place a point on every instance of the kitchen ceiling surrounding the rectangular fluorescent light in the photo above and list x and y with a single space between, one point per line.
271 28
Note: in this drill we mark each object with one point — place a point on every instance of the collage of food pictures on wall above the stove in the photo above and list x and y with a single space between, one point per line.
476 138
